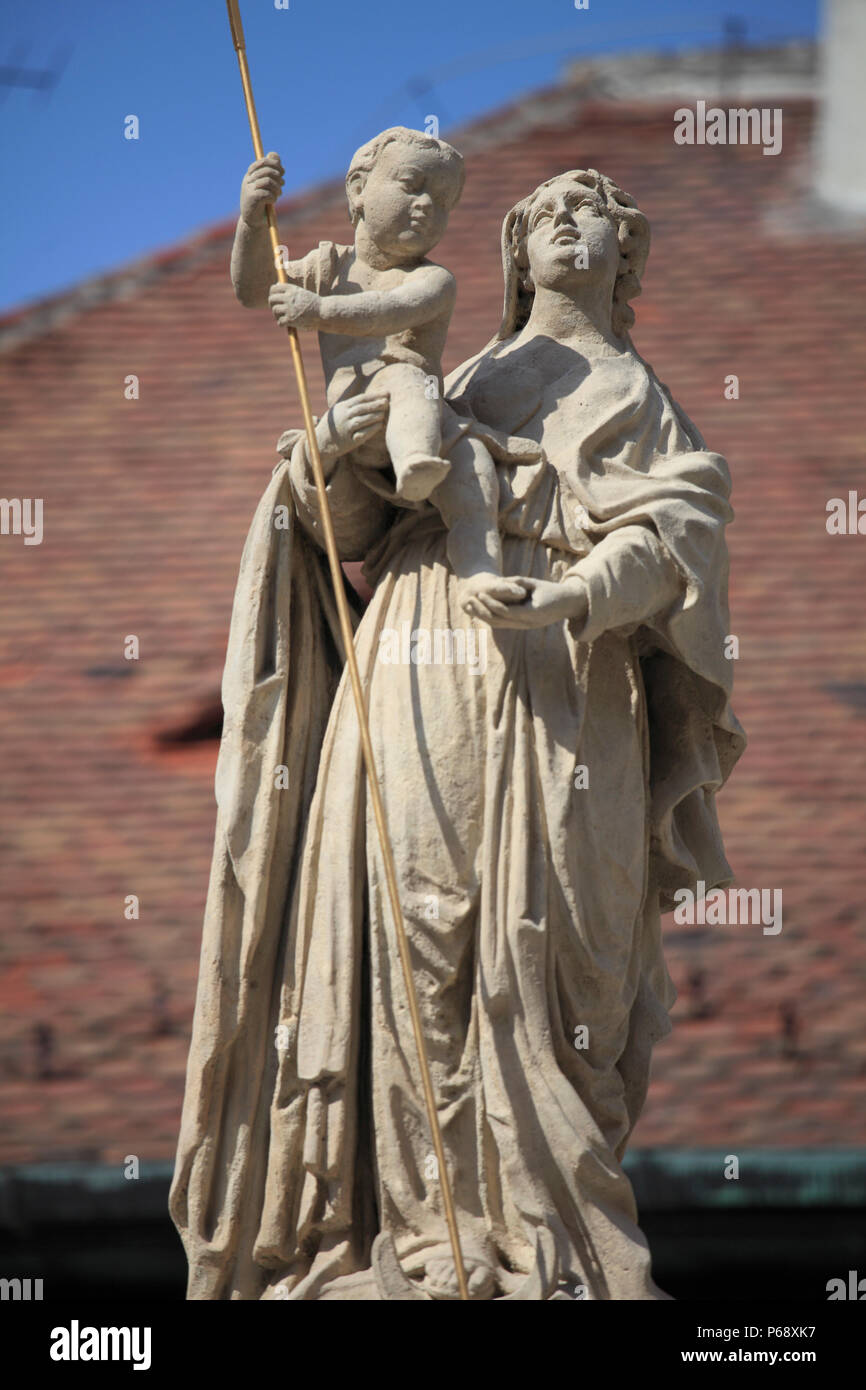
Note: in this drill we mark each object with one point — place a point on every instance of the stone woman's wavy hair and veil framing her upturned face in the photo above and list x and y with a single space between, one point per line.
633 231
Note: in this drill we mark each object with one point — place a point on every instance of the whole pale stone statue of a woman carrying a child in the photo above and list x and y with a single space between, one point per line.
548 701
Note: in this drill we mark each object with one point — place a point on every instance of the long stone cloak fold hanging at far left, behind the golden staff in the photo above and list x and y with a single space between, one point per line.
283 667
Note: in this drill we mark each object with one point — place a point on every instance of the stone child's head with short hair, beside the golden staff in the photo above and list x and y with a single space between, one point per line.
404 184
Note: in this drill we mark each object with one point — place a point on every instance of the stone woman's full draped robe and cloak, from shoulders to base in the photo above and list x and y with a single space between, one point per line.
543 812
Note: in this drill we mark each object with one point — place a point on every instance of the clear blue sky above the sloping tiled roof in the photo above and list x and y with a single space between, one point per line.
327 74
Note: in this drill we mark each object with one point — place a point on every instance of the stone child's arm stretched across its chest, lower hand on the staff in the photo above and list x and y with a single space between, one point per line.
423 297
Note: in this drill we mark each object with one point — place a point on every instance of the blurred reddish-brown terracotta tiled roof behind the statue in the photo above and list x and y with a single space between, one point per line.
147 505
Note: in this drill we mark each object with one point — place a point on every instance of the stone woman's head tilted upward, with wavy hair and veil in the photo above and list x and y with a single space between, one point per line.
576 230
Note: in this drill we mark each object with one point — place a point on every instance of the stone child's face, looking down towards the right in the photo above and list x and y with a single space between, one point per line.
407 201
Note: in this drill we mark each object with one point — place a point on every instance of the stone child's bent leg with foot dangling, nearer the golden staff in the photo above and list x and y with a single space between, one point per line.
414 432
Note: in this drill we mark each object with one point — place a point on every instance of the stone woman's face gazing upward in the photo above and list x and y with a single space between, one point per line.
571 240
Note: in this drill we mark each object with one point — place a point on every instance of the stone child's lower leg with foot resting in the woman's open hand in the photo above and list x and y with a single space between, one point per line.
469 505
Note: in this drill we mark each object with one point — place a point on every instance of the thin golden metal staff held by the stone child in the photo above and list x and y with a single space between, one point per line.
343 608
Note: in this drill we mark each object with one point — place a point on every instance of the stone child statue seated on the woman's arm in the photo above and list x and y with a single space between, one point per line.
382 311
